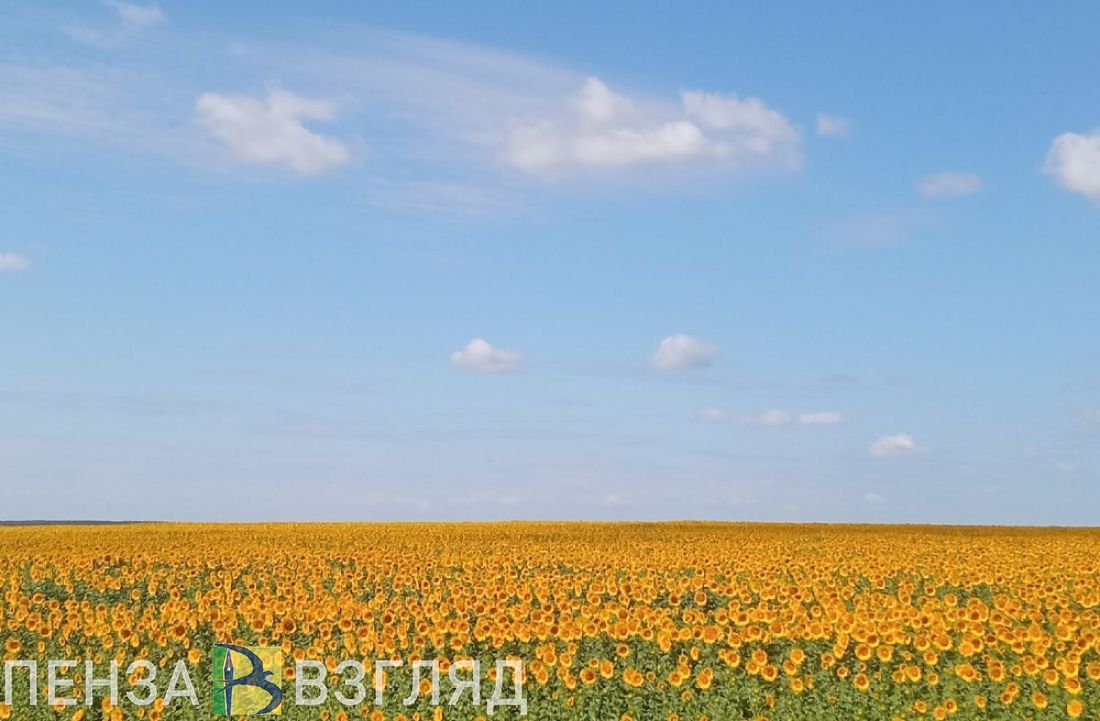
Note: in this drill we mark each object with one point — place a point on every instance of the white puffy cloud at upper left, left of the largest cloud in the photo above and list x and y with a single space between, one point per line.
271 132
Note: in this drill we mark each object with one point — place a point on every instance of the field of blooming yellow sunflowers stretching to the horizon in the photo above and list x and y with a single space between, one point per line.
679 622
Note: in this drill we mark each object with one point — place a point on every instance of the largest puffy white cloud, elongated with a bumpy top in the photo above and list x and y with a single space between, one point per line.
602 130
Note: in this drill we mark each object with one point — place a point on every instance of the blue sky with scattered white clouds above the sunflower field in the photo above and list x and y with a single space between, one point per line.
786 261
